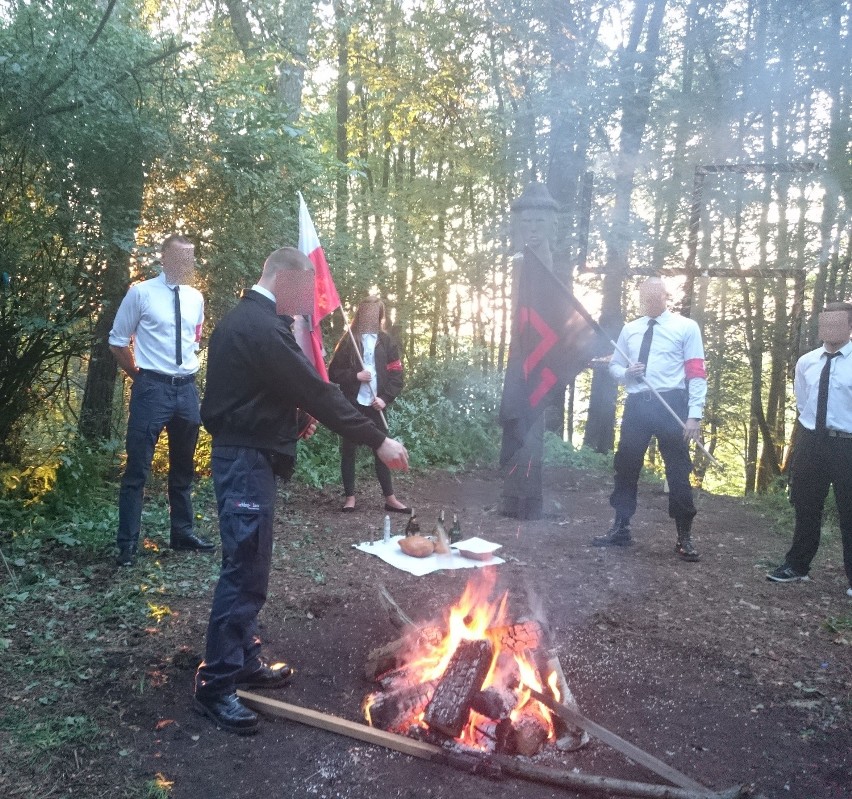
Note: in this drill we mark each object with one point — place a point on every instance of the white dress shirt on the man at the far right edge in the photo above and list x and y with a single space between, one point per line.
806 388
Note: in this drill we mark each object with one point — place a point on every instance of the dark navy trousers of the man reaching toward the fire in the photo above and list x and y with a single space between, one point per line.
245 495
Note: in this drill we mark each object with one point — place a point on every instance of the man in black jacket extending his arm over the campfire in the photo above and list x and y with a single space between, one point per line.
258 382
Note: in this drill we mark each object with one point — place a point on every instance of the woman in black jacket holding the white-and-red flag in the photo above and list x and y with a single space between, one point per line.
370 379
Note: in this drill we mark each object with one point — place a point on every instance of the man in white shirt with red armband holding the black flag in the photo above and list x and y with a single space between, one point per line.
664 351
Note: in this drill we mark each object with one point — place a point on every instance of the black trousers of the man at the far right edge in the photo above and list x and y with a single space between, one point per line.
818 463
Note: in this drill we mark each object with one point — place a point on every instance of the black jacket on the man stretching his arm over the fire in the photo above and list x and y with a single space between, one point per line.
257 378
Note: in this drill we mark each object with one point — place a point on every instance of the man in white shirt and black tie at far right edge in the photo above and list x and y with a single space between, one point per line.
822 456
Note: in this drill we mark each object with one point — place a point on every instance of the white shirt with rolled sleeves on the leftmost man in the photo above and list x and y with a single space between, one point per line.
147 317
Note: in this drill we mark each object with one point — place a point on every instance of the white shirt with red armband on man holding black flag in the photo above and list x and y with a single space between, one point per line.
677 353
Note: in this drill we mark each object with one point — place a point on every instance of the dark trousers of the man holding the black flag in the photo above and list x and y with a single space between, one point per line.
644 417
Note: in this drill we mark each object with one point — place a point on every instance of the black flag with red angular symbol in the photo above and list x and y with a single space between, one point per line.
552 338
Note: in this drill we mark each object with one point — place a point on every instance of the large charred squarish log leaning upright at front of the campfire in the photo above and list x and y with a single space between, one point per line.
449 708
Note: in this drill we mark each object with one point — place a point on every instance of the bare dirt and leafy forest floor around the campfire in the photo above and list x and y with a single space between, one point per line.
727 677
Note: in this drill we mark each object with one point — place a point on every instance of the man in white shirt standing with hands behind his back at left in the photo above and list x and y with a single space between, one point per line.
161 318
